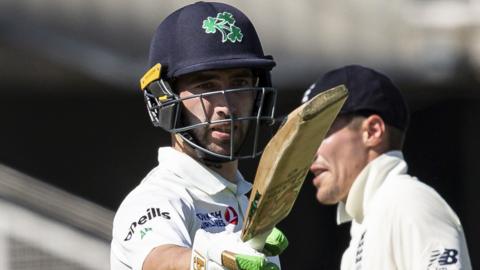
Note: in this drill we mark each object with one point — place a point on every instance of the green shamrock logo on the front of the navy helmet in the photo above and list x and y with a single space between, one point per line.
225 24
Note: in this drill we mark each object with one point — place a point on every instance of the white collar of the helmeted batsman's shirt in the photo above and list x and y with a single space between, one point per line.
194 173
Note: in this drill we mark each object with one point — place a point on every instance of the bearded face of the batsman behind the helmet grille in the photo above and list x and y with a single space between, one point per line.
217 137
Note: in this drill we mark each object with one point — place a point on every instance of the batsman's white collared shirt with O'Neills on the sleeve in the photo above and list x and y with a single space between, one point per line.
175 199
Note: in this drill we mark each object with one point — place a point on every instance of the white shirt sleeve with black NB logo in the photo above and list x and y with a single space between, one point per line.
428 234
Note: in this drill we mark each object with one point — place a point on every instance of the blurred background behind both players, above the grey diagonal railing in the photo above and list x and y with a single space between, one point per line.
71 113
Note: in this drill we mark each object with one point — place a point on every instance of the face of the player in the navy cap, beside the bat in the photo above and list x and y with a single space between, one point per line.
339 159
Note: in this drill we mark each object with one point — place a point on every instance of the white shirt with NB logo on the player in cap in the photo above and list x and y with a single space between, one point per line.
399 223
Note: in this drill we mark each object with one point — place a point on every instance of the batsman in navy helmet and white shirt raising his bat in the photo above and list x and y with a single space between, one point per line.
209 86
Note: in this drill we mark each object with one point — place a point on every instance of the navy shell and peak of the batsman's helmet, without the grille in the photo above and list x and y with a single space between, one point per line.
205 36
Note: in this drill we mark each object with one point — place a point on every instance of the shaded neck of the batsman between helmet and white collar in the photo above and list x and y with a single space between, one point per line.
227 170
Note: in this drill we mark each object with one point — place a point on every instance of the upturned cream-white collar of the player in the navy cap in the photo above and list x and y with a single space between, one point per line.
367 183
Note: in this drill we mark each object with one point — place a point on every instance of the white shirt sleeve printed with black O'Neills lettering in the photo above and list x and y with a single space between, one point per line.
147 219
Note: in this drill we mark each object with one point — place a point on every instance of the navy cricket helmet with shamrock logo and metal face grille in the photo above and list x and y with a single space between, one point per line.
199 37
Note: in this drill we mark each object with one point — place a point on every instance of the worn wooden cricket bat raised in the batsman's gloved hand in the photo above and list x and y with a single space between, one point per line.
285 162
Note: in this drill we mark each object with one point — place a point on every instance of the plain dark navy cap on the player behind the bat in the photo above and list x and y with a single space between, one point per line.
369 92
